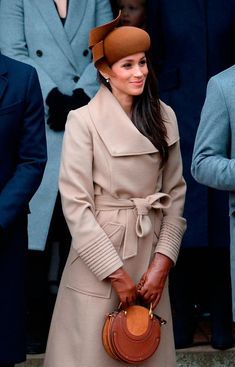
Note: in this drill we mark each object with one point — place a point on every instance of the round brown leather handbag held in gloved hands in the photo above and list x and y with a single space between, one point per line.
132 335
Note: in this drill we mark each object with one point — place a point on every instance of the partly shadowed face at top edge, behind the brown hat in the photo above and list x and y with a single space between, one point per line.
133 13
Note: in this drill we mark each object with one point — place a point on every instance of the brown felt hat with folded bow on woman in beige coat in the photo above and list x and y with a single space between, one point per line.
110 44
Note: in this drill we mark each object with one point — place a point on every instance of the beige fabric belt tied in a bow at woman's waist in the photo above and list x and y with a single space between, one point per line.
138 223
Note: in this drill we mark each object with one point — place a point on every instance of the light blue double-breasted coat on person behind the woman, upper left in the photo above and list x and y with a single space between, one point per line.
31 31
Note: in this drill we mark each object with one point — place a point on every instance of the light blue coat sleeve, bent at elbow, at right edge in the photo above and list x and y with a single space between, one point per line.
211 164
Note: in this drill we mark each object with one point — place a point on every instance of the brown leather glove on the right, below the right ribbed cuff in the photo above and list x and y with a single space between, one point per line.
152 282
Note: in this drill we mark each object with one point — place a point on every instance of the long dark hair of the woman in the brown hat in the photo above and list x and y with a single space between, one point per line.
146 113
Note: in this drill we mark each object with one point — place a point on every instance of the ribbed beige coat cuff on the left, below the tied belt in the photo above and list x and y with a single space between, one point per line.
101 257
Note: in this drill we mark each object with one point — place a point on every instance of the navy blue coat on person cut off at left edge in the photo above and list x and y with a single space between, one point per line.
22 162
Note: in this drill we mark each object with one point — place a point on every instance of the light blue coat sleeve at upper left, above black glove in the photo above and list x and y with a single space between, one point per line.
13 42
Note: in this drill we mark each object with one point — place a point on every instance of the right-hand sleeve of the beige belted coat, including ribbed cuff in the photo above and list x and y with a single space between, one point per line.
173 224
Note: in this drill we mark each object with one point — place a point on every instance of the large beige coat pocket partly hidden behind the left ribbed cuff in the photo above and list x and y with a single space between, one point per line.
80 277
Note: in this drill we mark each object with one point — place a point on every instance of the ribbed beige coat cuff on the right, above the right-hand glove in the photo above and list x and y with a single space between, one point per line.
171 233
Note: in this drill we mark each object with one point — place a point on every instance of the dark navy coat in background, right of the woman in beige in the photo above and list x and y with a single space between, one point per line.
193 40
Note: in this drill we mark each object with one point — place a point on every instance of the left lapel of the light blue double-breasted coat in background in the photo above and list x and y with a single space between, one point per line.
51 18
